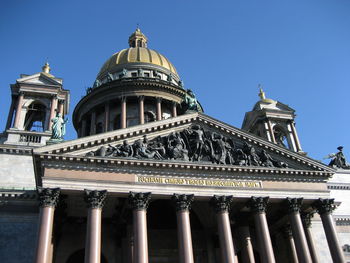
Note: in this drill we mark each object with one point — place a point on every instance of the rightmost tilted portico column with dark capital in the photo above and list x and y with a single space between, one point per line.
324 208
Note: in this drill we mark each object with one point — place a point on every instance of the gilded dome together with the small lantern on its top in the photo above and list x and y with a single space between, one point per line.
137 53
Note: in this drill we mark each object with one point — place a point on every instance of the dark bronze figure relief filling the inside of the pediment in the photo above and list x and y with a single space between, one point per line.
193 144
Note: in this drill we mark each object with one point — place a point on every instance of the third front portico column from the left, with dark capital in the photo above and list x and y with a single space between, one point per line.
139 203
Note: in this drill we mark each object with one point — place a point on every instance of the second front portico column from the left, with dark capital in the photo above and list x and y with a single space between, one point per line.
95 201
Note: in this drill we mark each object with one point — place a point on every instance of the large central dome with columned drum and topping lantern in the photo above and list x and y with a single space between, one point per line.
134 86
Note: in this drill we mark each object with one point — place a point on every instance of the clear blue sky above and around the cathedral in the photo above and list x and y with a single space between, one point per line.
298 50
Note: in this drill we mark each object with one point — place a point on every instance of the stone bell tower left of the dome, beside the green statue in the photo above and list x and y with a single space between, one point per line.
36 99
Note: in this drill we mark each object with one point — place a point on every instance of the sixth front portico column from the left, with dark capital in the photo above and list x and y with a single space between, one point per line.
258 207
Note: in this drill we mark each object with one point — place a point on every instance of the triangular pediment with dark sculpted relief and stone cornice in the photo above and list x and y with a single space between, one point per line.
189 139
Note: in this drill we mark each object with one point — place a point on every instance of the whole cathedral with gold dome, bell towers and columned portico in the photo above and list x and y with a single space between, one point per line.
152 178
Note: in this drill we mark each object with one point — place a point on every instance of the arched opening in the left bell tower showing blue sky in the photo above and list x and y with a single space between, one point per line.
35 117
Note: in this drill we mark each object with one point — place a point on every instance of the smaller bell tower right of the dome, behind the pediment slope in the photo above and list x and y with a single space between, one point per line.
273 121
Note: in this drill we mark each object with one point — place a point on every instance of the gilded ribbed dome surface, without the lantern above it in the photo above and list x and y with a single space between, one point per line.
137 55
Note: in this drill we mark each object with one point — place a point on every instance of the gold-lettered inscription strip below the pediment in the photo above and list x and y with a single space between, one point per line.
199 182
